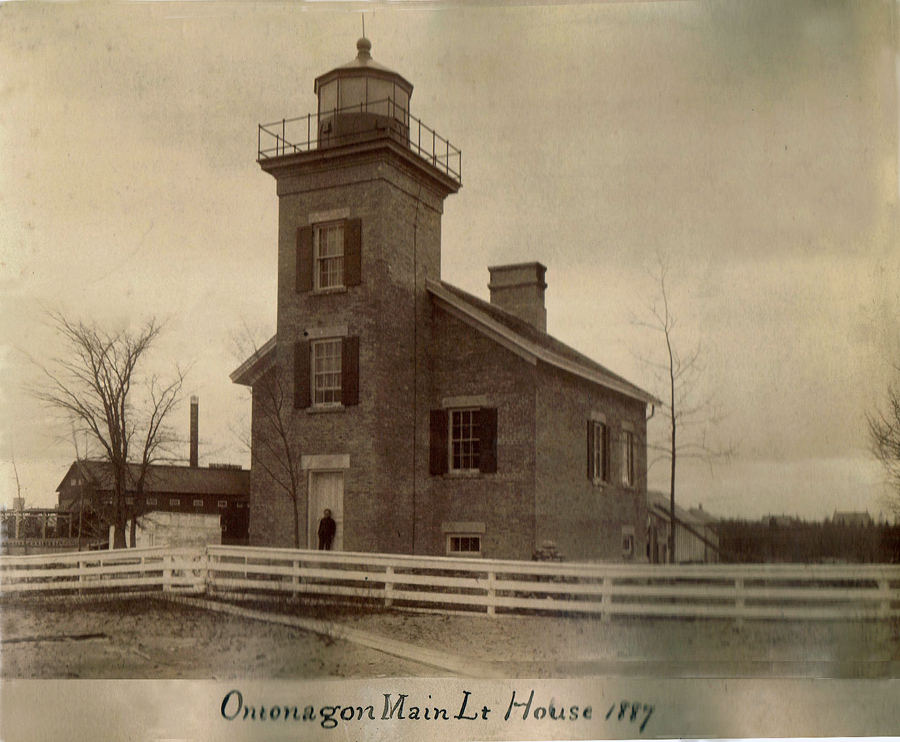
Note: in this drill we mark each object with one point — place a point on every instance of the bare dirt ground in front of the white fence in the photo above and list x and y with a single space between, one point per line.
150 638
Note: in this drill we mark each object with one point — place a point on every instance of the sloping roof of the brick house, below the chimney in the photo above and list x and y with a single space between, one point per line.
527 341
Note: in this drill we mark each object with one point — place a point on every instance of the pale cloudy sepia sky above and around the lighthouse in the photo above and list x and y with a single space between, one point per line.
753 145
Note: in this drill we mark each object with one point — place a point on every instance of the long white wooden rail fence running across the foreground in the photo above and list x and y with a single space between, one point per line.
774 592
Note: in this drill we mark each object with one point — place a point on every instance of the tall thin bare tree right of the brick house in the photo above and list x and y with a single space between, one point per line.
689 413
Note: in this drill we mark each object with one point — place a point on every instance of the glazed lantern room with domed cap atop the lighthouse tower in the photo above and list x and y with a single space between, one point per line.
362 100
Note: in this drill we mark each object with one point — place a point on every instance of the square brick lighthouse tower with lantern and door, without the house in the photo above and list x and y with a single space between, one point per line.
361 185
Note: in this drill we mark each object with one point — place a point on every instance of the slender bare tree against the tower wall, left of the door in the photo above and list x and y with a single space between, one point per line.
273 450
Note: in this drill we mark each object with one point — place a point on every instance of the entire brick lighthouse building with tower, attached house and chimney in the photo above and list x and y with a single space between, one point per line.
429 421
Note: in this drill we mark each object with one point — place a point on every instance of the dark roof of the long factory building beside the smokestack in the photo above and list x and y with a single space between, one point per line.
165 479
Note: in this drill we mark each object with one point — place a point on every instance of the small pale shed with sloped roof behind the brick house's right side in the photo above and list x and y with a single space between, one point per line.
696 540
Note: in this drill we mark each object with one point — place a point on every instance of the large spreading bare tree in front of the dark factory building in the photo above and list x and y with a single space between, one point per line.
97 383
